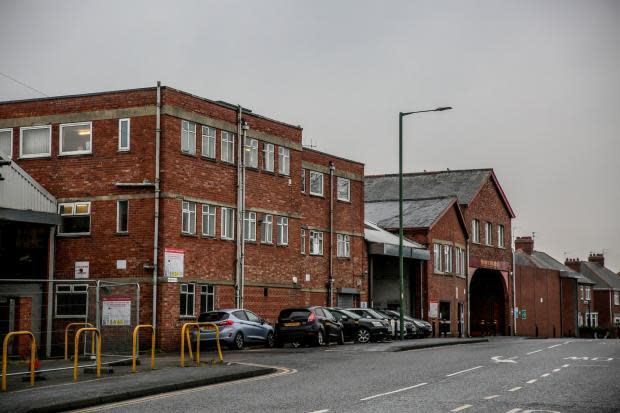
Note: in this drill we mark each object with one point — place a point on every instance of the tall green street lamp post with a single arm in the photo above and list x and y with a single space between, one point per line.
401 115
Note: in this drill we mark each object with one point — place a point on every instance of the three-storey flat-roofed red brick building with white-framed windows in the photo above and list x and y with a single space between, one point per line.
148 178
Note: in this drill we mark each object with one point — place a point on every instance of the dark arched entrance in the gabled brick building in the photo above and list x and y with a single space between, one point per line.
488 299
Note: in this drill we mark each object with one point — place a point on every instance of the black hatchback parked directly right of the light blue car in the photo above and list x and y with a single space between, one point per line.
307 325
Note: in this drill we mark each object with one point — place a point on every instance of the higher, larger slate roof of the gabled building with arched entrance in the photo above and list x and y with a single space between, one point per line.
463 184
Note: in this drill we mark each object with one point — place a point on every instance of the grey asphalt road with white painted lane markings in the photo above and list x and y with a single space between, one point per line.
510 375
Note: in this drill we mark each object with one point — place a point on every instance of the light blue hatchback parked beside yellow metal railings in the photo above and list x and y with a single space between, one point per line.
237 327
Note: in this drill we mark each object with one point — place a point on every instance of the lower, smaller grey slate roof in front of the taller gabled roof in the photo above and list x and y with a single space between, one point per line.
419 213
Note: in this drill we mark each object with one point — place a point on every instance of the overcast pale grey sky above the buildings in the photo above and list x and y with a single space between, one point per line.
535 85
